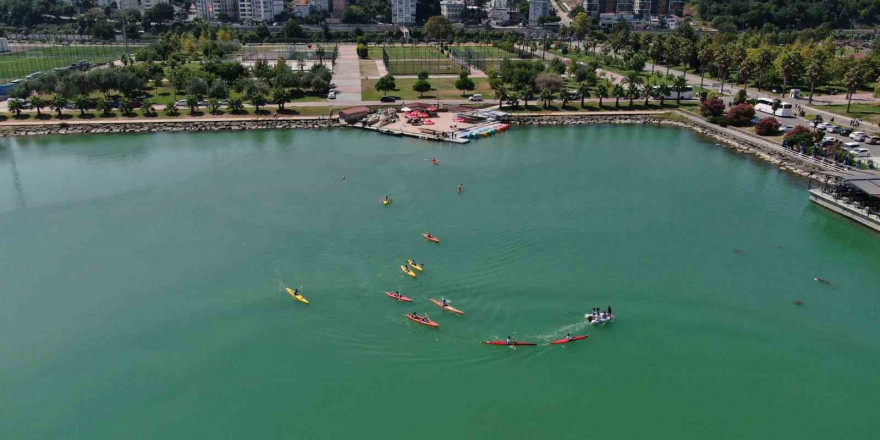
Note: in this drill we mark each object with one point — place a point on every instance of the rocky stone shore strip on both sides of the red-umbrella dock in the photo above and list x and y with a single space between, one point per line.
740 141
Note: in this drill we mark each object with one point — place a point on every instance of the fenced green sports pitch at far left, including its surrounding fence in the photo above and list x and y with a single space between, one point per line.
25 58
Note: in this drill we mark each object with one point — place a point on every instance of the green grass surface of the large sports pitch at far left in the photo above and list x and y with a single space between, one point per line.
17 65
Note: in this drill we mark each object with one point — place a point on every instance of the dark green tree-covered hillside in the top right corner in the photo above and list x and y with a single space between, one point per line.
788 14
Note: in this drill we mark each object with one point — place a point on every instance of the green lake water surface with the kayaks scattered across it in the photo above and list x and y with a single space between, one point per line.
140 290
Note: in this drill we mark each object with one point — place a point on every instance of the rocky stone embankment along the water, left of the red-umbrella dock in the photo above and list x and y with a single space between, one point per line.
155 126
